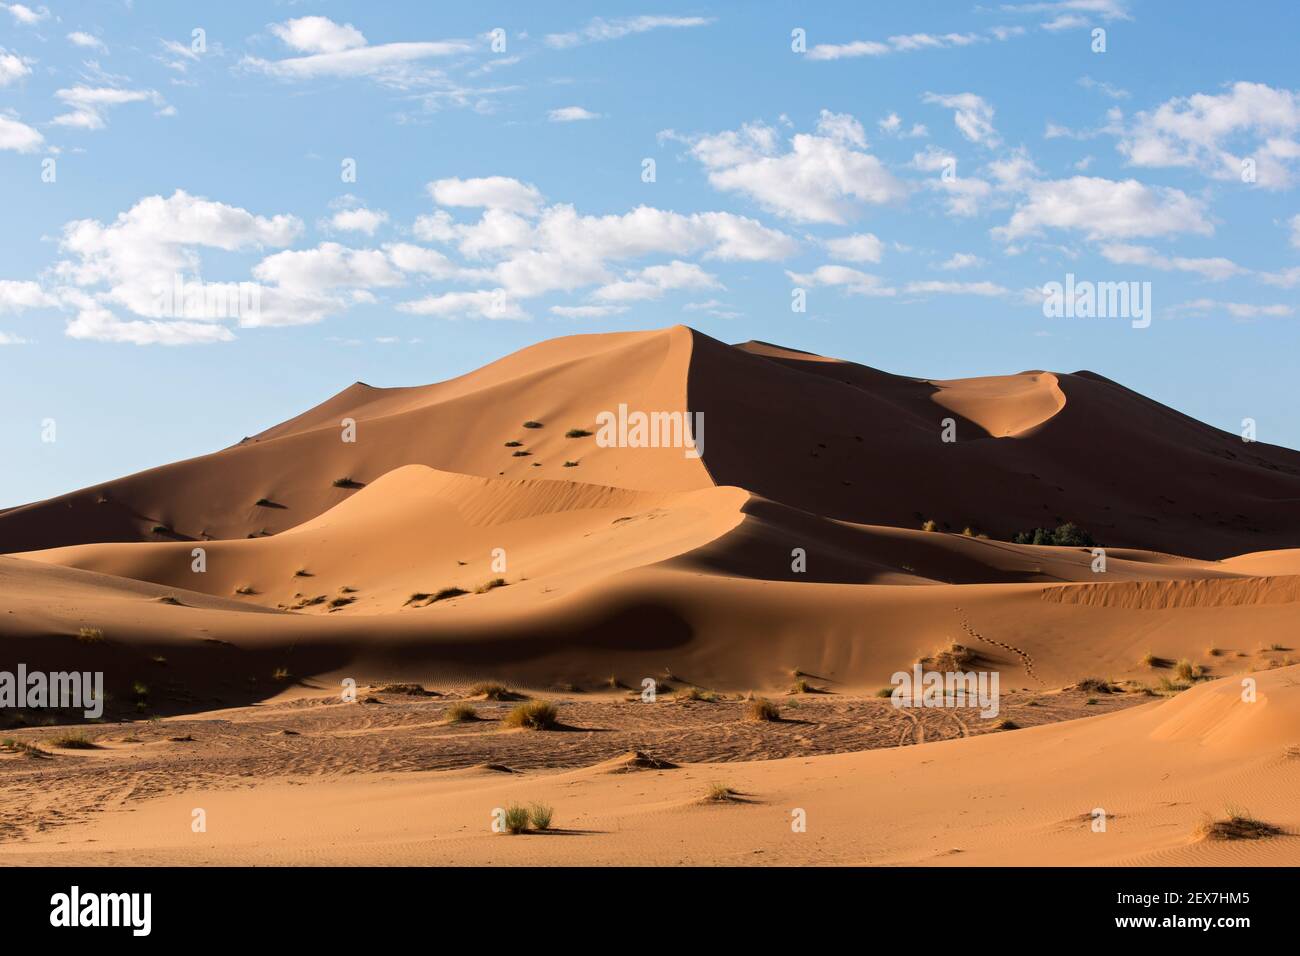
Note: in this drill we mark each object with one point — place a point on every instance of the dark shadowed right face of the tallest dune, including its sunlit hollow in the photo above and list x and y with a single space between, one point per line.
1032 451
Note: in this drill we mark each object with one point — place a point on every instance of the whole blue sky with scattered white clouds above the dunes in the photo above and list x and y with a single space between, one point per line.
920 171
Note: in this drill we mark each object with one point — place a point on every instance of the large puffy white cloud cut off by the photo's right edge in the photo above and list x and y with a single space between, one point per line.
1195 132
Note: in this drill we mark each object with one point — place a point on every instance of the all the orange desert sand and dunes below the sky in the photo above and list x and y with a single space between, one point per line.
452 546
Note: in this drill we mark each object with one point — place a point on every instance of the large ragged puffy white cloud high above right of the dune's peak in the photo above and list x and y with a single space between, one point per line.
824 179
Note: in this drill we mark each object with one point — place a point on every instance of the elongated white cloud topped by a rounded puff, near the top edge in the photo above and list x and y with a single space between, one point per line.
333 50
